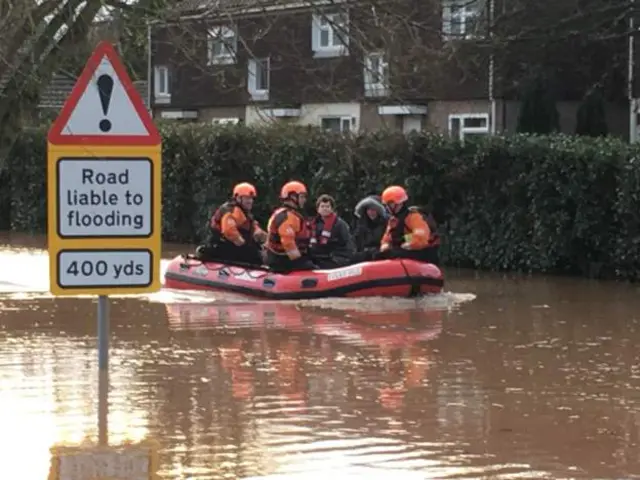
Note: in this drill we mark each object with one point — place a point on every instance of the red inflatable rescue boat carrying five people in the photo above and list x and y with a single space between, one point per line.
385 278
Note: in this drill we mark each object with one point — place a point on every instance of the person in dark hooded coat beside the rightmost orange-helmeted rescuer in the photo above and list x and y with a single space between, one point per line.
371 222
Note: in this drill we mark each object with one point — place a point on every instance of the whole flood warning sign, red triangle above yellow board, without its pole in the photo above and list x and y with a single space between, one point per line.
104 186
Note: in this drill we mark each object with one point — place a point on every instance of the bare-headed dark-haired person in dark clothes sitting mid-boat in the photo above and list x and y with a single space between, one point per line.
331 244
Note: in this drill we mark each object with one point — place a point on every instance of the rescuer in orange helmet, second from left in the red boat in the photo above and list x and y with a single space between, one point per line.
288 232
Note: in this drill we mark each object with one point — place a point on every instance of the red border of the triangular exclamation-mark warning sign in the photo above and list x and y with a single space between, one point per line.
55 135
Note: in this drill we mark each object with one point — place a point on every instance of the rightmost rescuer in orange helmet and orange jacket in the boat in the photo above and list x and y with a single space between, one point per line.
408 233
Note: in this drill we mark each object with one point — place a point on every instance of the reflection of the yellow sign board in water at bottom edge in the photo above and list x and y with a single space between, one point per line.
122 462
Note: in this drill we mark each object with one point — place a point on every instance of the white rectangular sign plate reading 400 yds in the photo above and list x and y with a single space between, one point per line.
105 268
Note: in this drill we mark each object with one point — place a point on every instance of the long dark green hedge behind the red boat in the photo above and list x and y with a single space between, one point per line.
526 203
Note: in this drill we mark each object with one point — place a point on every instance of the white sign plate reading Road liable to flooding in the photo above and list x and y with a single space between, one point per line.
100 198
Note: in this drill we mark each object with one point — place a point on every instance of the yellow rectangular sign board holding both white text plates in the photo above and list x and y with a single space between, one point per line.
104 211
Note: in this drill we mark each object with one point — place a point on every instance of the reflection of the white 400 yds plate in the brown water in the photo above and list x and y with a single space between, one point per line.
114 465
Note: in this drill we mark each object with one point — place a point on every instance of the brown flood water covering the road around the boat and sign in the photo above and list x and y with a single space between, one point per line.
500 377
